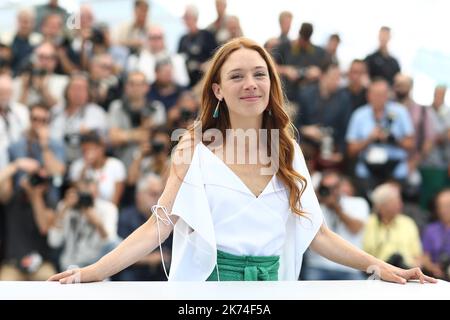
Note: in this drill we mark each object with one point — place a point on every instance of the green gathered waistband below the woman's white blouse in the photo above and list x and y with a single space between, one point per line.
245 268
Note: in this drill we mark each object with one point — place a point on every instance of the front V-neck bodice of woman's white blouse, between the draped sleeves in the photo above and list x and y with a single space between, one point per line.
237 213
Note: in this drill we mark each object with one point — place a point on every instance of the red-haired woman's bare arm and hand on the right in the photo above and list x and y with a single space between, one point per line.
333 247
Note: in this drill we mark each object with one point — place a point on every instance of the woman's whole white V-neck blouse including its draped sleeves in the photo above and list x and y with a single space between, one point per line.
217 211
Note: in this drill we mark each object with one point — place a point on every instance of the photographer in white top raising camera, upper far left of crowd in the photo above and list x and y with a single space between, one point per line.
38 81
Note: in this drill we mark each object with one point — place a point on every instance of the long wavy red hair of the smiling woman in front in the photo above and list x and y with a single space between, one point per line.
278 119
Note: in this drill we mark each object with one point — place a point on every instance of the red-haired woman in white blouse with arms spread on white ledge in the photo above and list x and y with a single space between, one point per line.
239 197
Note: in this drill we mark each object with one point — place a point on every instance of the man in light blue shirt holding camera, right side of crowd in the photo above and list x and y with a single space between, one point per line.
380 135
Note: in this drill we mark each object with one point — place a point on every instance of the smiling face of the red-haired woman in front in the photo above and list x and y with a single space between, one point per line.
245 83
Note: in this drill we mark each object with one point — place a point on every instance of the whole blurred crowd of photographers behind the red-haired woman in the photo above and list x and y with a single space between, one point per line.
85 140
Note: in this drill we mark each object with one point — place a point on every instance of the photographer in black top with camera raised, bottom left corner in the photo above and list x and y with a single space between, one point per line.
29 215
